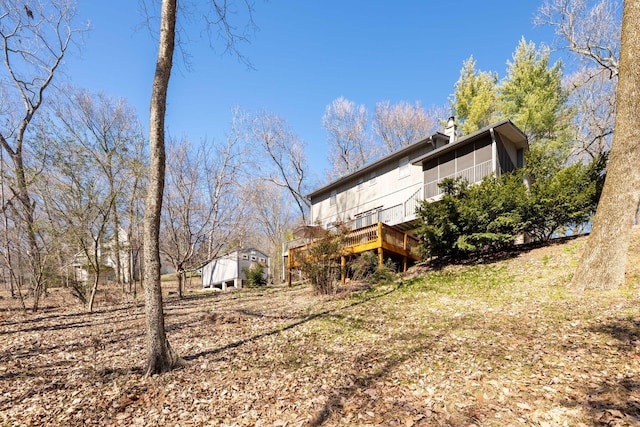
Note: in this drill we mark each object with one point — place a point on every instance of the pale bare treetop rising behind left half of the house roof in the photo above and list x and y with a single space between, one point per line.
350 145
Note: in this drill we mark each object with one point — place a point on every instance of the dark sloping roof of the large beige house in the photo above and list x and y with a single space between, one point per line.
504 127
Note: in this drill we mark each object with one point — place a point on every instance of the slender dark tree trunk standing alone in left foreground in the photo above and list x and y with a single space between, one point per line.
160 356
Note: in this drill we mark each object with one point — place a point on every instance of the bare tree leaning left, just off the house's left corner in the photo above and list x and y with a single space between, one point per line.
288 165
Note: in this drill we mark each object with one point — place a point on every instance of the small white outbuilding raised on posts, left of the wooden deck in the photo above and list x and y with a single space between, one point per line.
229 269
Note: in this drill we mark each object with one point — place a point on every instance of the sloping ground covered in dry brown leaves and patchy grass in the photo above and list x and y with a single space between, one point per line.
490 345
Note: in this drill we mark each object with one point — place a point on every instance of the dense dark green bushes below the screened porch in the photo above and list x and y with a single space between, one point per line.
490 215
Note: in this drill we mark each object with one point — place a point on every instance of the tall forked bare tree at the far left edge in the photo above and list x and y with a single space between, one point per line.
35 37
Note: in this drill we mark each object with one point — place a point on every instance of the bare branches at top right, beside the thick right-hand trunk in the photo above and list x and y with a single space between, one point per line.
588 28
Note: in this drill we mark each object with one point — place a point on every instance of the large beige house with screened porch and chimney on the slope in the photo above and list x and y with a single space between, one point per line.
390 189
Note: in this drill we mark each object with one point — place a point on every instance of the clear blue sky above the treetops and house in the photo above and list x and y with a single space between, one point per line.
305 54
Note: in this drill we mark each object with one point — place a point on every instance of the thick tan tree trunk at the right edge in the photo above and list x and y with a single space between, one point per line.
604 259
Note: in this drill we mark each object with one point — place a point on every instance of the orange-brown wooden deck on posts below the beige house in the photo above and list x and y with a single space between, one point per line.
384 239
